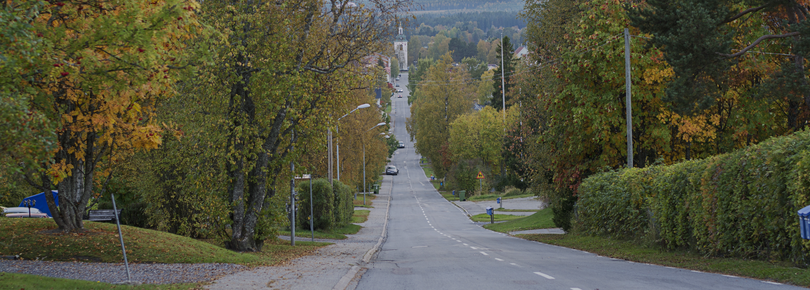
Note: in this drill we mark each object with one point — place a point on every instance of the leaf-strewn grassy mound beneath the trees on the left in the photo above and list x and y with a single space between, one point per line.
31 239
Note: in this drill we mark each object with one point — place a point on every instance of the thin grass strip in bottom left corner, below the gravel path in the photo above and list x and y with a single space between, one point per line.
25 281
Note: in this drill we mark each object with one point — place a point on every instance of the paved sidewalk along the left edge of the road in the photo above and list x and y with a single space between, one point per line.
333 267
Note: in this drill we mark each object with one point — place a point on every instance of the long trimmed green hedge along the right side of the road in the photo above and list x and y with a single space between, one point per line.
741 204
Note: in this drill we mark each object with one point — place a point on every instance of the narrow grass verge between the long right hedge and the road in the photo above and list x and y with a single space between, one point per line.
782 272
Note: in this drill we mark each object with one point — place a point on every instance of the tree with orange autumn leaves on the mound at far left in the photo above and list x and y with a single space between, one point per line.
101 70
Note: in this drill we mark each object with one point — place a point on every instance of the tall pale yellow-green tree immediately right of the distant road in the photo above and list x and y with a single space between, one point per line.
446 92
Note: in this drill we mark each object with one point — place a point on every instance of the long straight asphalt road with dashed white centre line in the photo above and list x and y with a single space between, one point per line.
431 244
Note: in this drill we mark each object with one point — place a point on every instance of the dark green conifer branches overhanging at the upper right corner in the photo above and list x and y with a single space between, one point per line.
702 41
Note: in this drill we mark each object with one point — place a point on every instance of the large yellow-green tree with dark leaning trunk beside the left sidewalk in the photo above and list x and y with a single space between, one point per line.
281 67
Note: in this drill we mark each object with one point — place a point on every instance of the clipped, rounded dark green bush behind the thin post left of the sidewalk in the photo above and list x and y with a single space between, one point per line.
323 206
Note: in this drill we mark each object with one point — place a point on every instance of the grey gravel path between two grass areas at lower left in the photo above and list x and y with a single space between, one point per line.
116 273
